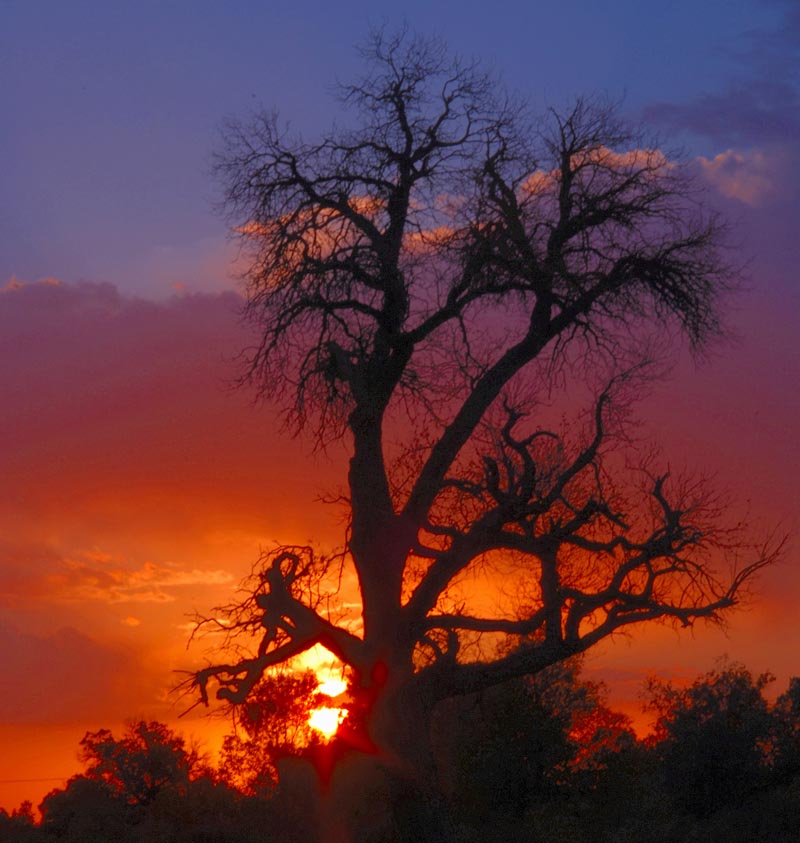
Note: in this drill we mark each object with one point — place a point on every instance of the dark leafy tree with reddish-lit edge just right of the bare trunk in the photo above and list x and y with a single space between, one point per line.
527 741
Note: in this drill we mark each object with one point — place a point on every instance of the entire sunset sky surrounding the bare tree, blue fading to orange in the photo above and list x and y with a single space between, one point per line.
137 486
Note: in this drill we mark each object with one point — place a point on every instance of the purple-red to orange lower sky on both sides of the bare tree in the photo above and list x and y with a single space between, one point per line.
137 487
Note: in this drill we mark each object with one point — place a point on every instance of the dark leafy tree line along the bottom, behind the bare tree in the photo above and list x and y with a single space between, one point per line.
537 758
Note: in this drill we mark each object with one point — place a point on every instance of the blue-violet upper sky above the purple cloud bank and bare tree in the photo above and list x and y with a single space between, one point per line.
111 110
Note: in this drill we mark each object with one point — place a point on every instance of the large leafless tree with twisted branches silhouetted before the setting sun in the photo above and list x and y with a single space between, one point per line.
423 277
